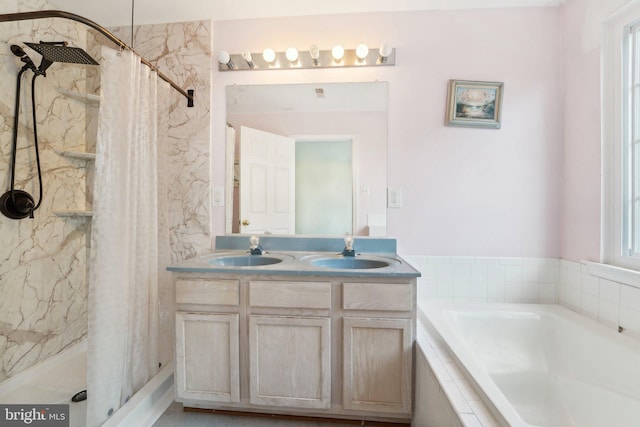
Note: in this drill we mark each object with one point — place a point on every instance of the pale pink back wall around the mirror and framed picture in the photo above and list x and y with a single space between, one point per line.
469 192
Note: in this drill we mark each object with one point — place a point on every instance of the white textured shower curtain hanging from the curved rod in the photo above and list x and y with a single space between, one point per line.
123 280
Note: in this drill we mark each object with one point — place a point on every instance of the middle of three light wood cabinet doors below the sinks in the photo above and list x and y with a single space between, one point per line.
290 361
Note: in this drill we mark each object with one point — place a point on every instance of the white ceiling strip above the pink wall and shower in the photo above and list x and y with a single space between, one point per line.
118 12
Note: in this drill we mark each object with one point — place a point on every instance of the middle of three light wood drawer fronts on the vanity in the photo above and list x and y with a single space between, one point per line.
314 295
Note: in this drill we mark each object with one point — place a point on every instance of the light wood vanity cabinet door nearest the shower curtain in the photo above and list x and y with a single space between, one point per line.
207 357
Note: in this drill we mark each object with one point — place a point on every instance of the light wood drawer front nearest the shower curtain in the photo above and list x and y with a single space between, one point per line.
200 291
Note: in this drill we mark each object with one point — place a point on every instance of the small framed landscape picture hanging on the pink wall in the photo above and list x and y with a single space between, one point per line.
474 104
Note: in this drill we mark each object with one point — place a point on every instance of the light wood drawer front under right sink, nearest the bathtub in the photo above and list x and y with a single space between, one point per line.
377 296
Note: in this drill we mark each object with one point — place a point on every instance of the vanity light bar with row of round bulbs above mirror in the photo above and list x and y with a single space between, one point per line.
305 59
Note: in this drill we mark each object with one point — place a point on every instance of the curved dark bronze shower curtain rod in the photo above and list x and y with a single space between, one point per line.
23 16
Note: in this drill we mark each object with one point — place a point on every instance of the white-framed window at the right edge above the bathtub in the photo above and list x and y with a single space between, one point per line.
621 126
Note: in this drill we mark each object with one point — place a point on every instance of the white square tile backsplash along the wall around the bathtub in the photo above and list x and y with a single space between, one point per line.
613 303
